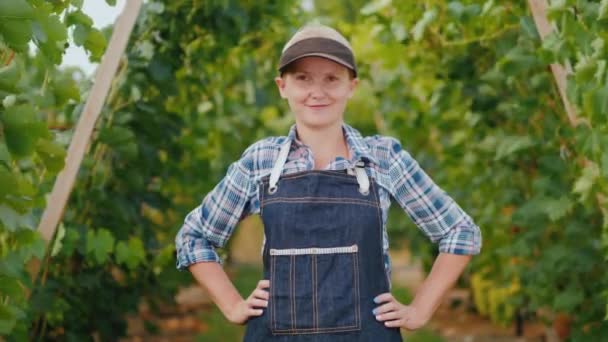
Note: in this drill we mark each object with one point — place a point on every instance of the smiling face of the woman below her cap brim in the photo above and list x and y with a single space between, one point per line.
317 90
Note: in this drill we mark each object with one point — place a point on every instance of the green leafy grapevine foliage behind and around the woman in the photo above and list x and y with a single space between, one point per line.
465 85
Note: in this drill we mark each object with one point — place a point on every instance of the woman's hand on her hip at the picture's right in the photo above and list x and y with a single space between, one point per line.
397 315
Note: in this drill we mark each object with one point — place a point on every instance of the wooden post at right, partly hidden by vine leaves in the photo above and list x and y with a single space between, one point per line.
539 12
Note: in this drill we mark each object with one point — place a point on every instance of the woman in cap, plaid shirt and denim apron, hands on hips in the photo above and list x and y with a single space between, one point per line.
323 193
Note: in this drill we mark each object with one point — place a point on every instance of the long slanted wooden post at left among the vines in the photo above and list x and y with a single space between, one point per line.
80 141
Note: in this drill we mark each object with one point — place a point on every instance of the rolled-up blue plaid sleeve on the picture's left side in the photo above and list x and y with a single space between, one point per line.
210 225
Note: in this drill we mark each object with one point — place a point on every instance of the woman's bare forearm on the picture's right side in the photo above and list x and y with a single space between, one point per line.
444 273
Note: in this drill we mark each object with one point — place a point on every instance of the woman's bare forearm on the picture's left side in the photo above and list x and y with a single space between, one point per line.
214 279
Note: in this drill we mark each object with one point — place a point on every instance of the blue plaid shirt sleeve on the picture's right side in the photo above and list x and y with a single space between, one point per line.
431 209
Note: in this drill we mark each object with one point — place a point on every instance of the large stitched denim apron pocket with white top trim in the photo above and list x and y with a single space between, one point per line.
314 290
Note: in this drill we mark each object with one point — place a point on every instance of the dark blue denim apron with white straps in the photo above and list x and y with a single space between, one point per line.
323 256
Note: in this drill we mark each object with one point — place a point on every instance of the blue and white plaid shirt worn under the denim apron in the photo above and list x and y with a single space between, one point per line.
398 175
